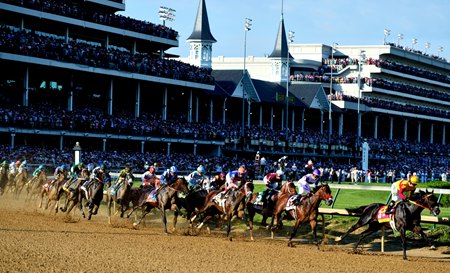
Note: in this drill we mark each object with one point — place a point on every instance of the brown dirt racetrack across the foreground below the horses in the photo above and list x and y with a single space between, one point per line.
32 240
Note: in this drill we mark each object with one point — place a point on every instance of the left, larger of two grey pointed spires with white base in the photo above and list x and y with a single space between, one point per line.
201 39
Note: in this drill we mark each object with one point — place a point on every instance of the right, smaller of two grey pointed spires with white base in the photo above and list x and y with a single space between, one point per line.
279 56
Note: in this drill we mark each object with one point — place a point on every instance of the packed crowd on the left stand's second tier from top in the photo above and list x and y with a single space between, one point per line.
55 48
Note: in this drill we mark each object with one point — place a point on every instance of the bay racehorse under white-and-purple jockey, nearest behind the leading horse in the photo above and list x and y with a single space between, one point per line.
307 211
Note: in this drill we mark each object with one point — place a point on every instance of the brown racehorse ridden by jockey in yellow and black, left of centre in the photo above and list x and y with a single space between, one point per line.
120 196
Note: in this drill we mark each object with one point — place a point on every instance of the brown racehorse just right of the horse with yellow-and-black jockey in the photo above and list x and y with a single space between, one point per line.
167 198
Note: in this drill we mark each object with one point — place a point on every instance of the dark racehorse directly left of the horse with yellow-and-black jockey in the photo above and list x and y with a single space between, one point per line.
95 193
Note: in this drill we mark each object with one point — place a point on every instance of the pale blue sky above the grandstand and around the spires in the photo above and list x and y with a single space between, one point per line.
346 22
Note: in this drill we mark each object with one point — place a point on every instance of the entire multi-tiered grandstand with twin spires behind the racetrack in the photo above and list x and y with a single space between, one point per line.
107 81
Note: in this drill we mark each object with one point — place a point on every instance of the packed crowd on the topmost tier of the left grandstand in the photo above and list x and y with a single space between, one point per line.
79 11
